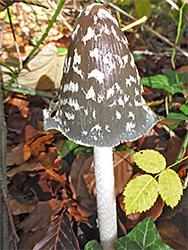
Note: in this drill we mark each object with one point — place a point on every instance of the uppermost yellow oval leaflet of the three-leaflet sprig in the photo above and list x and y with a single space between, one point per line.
150 161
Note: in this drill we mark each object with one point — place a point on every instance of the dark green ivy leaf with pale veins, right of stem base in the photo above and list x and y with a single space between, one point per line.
143 236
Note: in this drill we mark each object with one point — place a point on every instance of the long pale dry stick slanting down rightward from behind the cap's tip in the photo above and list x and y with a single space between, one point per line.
147 27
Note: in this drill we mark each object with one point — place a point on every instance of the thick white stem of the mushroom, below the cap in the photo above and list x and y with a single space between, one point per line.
106 202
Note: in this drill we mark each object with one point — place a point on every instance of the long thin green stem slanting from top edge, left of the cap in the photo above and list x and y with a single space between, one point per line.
38 43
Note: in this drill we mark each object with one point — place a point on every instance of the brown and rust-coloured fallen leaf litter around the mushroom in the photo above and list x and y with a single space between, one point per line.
50 203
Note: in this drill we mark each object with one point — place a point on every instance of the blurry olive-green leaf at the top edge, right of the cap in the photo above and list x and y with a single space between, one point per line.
142 8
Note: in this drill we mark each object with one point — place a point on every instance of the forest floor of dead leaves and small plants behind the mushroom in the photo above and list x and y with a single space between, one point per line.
51 187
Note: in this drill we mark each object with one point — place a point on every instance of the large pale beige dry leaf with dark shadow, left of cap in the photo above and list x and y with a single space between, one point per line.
44 71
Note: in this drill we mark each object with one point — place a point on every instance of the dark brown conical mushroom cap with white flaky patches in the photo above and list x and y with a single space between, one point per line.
100 99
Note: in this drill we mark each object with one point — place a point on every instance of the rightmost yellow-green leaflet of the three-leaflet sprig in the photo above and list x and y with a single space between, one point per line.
170 187
